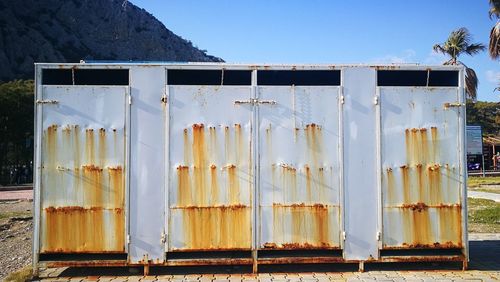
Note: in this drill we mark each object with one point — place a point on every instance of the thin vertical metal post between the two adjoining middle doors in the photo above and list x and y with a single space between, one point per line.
256 174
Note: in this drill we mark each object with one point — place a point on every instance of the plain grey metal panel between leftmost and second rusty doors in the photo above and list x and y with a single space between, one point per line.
148 174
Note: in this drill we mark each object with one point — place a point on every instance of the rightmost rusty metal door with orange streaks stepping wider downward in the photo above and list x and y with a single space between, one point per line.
422 203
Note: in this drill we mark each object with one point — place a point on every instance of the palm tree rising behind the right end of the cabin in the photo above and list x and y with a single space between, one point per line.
458 43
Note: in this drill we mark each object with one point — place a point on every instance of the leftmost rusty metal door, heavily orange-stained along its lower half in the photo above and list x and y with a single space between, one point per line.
82 181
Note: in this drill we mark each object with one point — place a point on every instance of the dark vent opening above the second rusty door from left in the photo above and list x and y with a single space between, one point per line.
209 77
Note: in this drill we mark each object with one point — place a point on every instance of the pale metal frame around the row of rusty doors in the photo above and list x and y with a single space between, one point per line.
255 119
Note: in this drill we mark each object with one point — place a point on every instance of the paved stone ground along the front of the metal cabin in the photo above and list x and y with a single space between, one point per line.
484 266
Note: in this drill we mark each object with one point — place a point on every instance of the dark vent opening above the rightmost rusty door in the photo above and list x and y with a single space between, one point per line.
417 78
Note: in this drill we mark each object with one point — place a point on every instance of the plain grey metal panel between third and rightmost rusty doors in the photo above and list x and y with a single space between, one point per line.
360 163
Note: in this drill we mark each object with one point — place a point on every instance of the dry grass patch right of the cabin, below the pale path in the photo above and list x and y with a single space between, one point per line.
484 216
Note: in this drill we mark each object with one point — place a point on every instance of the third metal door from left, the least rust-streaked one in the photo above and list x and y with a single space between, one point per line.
299 167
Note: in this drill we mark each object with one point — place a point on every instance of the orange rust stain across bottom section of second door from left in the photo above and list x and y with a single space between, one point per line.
202 224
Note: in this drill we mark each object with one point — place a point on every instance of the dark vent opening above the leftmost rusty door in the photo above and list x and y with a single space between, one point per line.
85 77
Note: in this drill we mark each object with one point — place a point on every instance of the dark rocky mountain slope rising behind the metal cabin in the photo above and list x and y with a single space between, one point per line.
72 30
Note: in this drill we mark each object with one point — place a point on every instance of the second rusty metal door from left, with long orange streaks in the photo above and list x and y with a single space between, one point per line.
210 187
